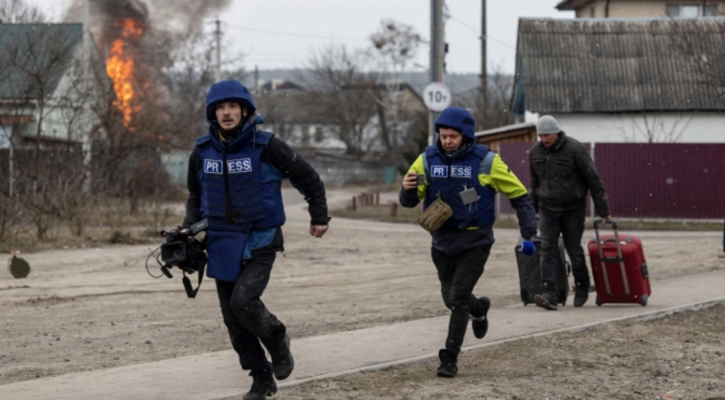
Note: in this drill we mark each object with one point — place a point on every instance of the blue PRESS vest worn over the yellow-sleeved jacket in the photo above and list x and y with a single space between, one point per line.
451 176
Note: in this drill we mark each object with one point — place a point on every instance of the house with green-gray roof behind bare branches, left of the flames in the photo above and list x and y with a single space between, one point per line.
47 83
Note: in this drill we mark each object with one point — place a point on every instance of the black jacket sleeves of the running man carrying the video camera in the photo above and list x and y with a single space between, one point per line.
302 175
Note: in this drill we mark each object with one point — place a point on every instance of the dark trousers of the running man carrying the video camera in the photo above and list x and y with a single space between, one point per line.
245 315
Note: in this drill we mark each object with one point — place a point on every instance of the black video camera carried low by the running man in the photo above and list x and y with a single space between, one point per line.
178 252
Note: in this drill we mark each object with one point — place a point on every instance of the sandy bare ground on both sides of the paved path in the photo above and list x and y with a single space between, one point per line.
89 309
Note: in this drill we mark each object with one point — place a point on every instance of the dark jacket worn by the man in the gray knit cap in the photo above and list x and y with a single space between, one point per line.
561 176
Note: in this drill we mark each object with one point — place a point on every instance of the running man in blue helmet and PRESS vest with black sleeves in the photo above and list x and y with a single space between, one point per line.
234 179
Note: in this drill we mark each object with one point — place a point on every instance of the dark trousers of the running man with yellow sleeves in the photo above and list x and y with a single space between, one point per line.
458 276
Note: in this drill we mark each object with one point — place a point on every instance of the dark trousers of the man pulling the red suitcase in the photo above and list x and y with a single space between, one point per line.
570 225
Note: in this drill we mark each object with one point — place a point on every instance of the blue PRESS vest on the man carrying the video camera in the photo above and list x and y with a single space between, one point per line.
255 200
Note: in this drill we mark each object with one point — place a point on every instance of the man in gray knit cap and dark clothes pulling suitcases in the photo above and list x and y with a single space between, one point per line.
562 172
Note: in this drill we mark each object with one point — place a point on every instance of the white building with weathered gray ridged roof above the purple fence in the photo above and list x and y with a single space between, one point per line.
624 80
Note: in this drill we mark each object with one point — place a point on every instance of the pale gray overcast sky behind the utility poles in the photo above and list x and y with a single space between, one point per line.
282 33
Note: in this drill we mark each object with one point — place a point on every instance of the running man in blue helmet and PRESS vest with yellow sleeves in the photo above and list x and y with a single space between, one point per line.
465 175
